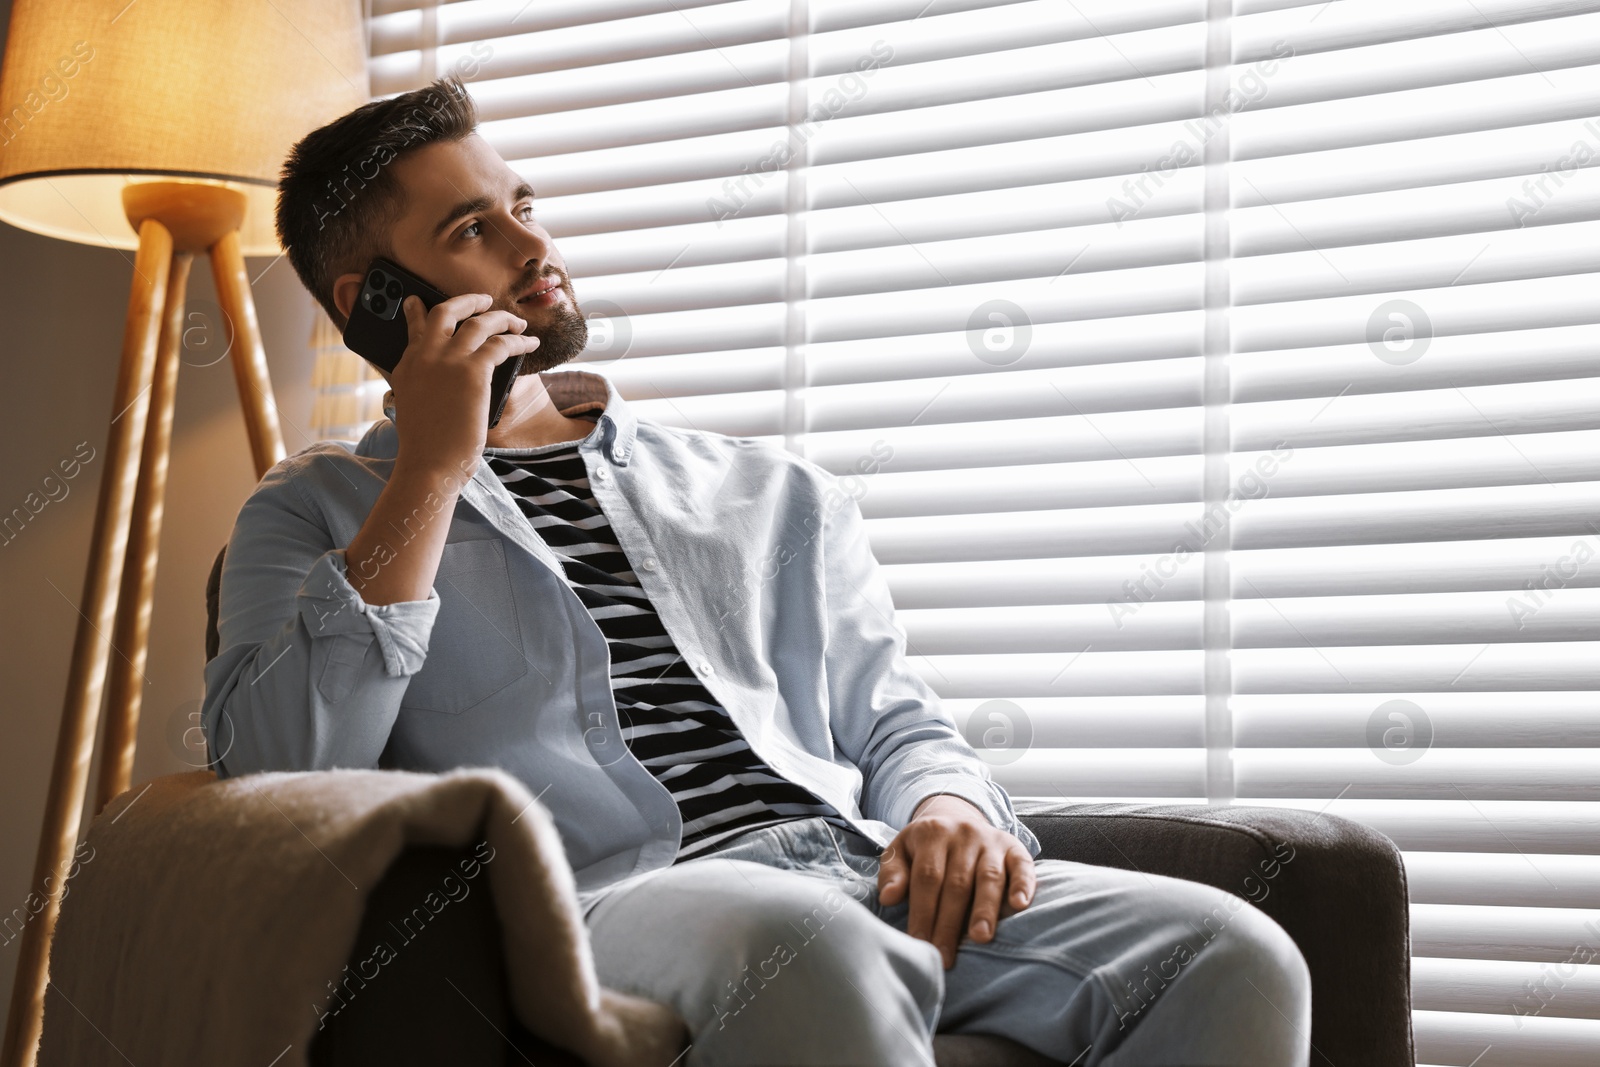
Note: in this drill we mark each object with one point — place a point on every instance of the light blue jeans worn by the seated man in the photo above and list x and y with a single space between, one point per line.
777 953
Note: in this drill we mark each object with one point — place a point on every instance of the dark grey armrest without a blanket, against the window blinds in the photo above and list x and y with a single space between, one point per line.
1335 885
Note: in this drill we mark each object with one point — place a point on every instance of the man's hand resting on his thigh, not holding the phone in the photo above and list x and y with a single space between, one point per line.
951 860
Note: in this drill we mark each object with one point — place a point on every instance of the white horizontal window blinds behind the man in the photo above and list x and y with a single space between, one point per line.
1225 380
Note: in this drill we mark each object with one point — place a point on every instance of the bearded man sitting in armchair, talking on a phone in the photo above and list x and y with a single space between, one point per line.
682 644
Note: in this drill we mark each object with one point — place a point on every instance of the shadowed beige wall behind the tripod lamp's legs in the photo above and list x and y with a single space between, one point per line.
63 319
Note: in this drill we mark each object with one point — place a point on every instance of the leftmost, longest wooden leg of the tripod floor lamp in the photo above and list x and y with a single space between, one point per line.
92 650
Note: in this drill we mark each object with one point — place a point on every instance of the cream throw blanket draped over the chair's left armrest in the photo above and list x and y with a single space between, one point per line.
209 916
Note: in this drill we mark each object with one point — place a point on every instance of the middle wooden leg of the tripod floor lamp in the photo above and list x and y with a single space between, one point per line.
145 537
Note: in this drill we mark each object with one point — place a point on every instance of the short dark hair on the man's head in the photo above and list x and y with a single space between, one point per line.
337 196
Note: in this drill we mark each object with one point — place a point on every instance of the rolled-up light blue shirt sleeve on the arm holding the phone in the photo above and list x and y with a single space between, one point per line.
308 676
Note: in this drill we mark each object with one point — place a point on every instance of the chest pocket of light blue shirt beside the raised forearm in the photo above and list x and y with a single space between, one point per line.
476 647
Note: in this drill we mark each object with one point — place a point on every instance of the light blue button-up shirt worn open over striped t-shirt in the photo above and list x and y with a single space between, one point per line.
756 561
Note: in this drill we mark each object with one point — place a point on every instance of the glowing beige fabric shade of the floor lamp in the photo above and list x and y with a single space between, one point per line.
97 95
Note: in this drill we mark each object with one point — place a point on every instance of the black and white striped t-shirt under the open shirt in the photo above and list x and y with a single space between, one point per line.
670 721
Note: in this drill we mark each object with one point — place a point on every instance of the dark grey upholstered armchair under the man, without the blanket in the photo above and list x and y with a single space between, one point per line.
1335 885
